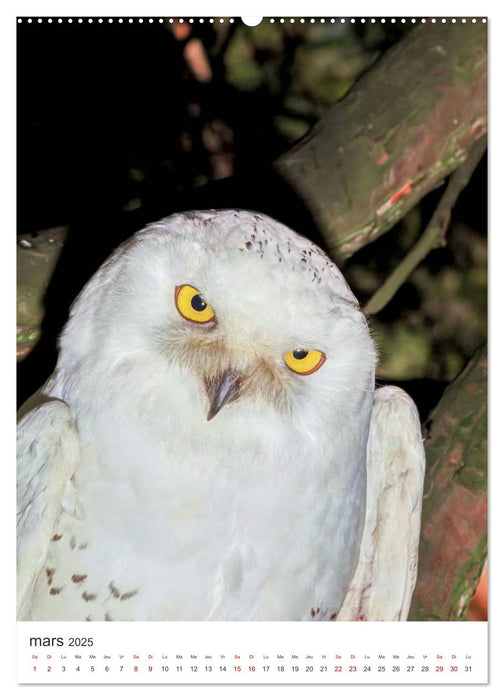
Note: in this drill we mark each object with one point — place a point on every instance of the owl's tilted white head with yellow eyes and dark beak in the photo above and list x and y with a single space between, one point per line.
241 306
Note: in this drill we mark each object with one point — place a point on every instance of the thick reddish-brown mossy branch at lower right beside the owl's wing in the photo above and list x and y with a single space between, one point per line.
453 543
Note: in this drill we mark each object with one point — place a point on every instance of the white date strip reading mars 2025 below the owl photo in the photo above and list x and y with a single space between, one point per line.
252 653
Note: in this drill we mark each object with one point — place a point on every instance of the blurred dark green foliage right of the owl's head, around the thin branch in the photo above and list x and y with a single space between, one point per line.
439 317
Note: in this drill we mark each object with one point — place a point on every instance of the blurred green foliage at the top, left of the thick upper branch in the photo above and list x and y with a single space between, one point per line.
324 61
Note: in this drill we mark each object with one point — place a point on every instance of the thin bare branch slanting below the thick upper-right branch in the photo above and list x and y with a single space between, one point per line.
434 234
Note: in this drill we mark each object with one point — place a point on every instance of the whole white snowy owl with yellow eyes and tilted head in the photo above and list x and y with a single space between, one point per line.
205 444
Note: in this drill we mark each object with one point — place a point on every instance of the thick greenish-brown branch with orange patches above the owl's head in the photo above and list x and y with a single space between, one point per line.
404 126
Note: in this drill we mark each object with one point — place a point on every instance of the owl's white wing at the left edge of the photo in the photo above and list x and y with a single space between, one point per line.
47 457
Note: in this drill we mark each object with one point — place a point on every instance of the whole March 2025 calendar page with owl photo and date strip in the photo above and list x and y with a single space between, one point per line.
252 365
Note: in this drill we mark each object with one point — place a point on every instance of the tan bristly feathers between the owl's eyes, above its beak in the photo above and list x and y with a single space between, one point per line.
211 357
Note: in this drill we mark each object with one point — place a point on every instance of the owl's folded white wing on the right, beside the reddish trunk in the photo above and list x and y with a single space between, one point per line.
386 573
